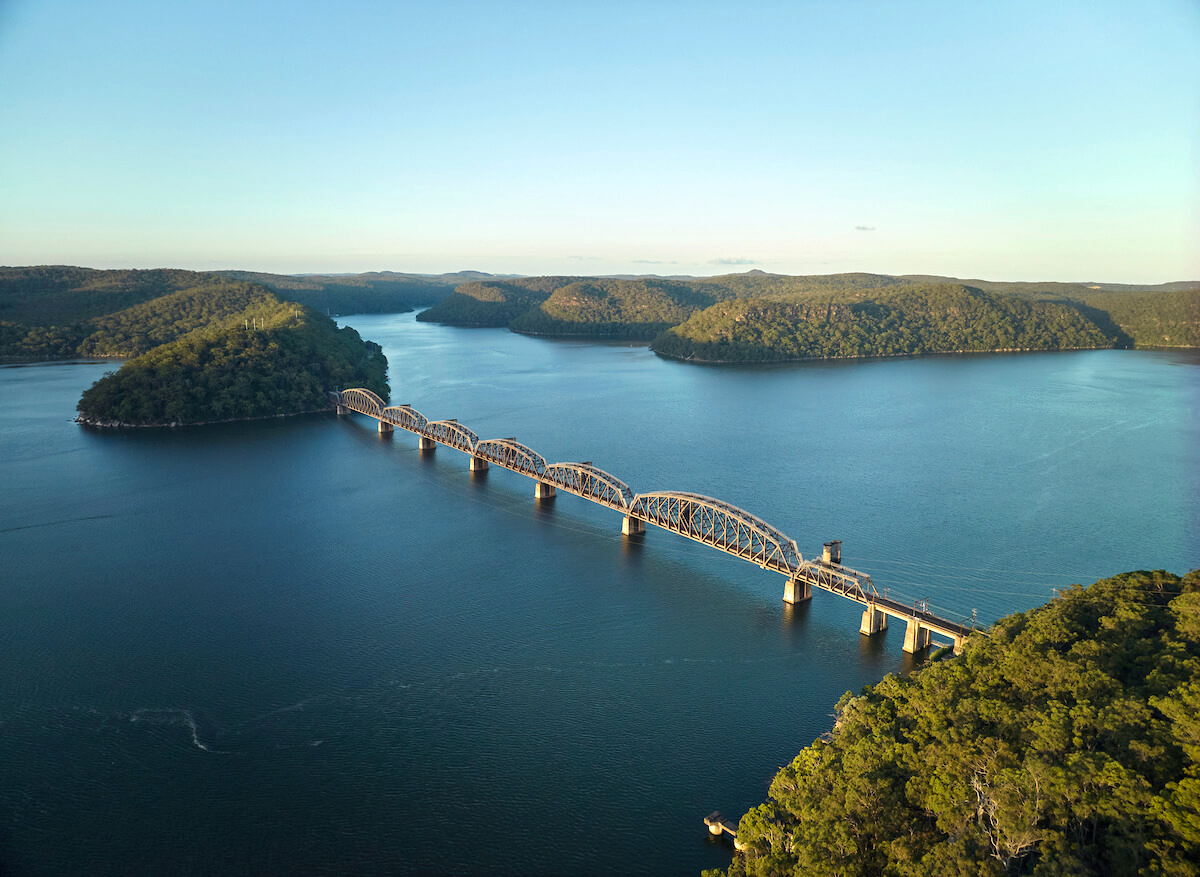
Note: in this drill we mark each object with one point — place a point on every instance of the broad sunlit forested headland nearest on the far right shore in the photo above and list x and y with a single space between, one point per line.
903 320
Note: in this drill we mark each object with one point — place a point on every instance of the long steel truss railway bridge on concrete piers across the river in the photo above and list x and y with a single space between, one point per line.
706 520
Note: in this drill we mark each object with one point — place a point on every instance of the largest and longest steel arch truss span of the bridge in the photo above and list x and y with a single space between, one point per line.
721 526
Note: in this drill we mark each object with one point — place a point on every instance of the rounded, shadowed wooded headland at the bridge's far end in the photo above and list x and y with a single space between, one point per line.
286 364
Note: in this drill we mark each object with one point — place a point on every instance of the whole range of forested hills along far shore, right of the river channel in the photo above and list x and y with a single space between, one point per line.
758 317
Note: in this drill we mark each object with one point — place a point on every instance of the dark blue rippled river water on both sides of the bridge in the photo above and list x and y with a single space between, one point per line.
296 647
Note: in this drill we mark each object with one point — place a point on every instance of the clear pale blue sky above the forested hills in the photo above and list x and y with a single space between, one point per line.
1009 141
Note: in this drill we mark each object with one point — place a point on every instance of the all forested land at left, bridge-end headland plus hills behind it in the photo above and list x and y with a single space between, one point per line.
202 347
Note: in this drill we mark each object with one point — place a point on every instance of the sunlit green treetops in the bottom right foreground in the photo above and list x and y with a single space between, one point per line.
1065 743
